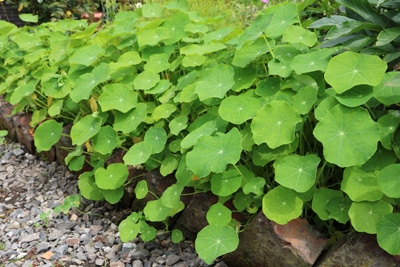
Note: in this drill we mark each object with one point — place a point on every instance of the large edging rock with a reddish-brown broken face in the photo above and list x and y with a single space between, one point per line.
294 244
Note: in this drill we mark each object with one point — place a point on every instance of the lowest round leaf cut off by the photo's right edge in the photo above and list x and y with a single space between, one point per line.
388 233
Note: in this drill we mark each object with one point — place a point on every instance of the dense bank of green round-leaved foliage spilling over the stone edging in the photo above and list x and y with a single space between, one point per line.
276 117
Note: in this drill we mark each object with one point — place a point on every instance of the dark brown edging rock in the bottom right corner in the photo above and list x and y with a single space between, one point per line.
357 249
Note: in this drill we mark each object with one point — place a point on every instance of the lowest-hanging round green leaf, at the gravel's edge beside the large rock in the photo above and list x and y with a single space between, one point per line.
214 241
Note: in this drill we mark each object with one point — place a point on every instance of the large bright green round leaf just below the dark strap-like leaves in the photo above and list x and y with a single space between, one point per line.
350 69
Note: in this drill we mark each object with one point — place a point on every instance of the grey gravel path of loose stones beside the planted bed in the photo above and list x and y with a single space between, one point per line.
30 188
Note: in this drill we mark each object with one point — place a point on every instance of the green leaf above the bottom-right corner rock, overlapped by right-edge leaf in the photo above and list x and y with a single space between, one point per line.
365 216
